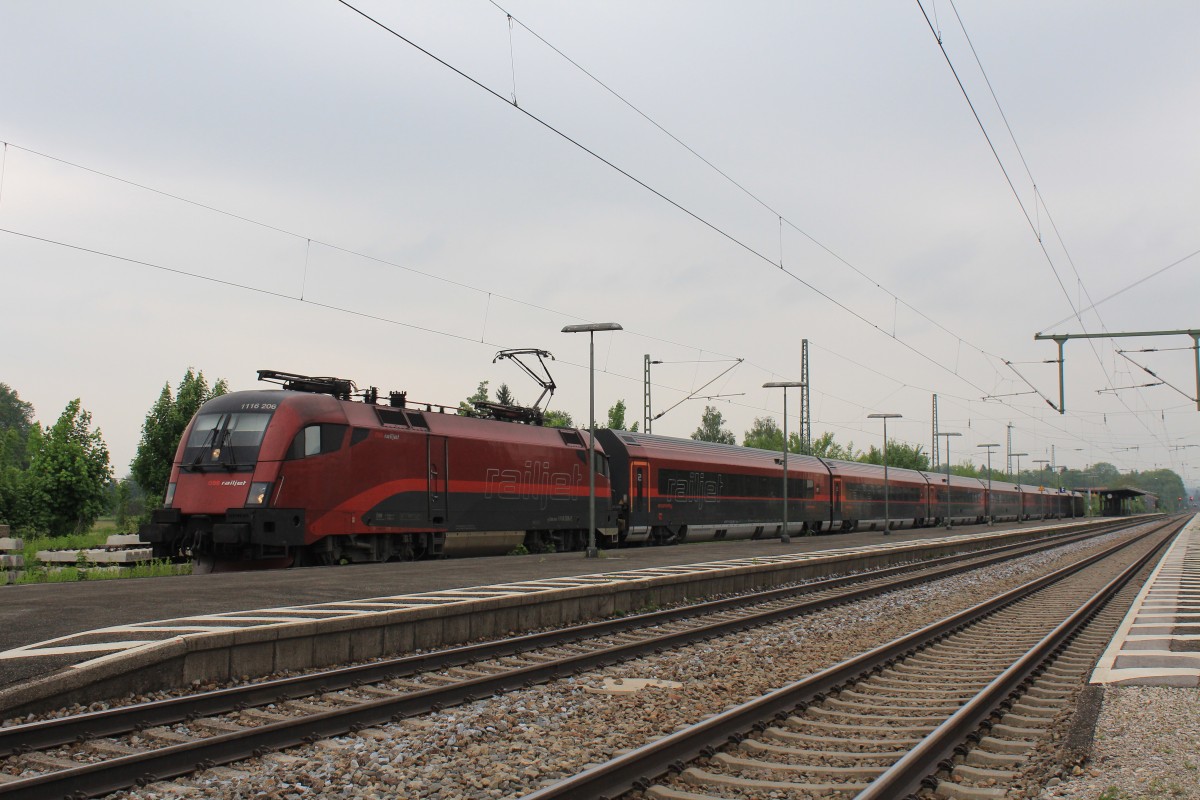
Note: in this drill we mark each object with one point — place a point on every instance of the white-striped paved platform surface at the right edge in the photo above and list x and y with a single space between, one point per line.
1159 642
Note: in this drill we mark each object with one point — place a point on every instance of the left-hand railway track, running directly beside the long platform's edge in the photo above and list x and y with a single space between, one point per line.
95 754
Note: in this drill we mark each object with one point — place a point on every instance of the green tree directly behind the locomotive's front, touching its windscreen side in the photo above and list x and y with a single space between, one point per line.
164 428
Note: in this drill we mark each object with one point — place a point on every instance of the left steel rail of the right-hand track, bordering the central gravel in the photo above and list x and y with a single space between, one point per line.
639 768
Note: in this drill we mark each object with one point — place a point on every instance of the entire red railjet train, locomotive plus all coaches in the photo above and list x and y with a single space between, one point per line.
307 476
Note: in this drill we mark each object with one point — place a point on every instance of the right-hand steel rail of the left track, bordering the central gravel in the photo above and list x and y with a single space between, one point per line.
140 769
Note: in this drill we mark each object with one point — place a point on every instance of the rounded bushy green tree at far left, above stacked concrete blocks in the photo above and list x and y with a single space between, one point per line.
69 474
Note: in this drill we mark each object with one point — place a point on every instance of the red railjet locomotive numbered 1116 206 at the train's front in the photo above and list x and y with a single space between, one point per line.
313 478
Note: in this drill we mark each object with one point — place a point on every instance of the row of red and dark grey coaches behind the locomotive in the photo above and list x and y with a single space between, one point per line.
680 490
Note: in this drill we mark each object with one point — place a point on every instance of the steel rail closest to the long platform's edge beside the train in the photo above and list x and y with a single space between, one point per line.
49 733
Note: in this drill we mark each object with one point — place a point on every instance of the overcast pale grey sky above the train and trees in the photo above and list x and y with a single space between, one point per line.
401 225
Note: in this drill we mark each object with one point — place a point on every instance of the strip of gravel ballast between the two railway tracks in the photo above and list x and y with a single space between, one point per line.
508 747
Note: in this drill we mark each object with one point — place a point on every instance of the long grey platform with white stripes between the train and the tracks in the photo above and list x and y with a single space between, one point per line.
71 641
